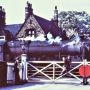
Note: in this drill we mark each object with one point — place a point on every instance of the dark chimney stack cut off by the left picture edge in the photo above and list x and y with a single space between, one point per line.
2 17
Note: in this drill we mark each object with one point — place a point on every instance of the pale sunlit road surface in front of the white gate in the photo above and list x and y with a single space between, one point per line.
64 85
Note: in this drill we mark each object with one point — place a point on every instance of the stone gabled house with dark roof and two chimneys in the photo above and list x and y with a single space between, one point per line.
35 26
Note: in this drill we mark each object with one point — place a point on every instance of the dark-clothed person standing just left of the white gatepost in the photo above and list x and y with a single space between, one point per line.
16 70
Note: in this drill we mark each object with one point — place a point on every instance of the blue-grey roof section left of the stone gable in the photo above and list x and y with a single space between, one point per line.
13 28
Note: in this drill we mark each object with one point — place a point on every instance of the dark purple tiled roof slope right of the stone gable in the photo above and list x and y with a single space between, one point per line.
48 26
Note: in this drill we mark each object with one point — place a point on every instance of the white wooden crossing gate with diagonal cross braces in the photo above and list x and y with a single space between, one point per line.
50 70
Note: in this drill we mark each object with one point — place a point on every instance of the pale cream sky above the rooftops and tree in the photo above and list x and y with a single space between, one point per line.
15 9
